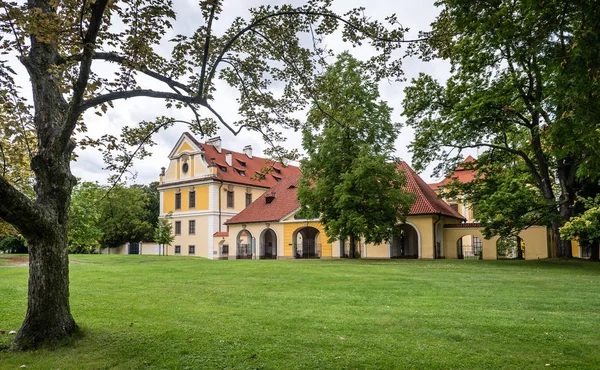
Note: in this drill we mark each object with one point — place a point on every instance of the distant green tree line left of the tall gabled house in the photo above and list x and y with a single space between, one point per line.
102 216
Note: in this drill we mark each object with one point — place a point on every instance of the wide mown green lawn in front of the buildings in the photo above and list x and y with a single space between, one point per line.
148 312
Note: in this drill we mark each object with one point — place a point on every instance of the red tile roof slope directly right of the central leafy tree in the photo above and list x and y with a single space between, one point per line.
427 201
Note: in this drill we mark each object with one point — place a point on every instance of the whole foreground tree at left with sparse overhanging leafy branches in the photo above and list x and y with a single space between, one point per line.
60 44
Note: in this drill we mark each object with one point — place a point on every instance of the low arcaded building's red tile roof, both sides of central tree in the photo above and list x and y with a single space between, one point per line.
286 201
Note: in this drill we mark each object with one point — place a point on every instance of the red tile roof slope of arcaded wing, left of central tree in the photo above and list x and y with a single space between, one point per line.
284 203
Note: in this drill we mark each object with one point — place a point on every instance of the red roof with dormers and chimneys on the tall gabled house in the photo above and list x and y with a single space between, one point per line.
253 165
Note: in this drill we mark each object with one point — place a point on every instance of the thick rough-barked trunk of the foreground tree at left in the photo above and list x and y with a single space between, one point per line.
48 315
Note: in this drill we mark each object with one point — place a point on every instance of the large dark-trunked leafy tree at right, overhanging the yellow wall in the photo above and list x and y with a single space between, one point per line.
524 81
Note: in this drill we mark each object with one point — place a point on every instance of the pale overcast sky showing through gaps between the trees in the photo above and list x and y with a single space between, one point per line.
417 15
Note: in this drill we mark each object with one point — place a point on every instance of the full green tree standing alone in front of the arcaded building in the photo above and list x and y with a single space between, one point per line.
350 179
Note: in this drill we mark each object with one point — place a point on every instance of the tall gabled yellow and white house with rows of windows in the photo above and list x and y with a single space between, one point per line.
205 185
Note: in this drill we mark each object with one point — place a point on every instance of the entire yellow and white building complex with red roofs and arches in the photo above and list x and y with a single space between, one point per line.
221 210
